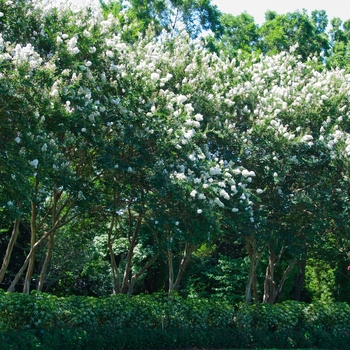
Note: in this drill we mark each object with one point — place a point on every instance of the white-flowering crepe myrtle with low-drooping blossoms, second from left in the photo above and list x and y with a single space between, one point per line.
153 136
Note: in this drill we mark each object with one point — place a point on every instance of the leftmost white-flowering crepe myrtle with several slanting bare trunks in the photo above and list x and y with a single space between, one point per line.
52 170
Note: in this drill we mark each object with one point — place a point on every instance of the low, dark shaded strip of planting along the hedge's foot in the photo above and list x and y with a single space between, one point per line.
105 338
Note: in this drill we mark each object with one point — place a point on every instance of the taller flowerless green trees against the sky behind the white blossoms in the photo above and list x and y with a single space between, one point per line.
313 32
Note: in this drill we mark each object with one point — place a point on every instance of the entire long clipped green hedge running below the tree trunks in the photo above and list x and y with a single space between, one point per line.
44 321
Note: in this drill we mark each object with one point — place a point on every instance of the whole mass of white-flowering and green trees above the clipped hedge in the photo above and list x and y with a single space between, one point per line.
163 146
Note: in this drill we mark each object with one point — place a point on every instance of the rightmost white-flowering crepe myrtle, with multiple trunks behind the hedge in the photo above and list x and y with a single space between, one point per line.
291 111
